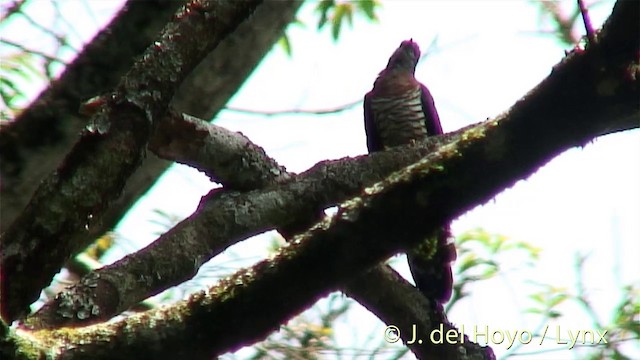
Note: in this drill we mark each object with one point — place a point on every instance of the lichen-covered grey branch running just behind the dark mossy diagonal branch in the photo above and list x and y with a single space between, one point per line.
222 219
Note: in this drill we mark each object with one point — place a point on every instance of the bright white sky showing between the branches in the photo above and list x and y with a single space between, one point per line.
585 201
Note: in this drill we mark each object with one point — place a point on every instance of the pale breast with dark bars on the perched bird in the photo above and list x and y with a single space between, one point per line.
399 119
